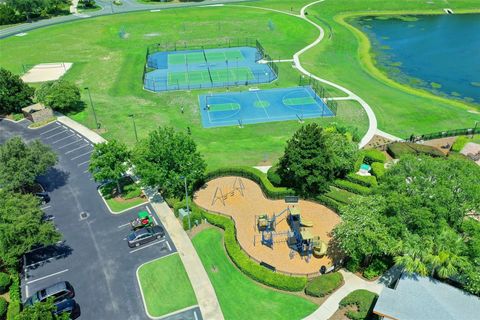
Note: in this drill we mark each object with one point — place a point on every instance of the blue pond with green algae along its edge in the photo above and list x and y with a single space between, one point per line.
440 53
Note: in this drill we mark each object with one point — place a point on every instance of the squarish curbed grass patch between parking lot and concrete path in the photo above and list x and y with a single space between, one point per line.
165 286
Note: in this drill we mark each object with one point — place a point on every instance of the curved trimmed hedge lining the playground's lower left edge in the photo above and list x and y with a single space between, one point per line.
247 265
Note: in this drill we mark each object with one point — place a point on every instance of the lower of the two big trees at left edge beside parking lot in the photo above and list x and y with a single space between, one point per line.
21 227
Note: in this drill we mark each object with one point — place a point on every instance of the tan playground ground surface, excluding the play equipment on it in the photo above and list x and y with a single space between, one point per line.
243 210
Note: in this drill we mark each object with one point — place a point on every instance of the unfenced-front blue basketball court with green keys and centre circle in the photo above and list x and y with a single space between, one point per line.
247 107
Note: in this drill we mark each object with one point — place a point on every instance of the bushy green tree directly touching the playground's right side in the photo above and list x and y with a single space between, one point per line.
363 234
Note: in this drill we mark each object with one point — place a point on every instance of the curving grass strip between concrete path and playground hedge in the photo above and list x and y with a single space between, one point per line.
239 296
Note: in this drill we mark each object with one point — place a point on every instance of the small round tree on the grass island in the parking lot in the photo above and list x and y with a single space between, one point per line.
109 162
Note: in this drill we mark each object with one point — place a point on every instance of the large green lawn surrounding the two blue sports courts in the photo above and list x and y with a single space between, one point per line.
112 67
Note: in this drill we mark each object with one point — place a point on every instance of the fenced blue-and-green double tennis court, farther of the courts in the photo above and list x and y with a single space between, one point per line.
206 68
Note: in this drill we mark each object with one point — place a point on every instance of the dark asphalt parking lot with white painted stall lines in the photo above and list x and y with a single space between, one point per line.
93 254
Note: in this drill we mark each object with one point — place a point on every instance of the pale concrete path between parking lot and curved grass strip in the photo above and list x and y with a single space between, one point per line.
206 296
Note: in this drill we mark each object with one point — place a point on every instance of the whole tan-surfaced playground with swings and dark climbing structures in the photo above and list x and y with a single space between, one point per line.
290 237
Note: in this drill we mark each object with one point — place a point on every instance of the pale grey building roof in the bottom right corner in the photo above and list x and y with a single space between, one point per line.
423 298
